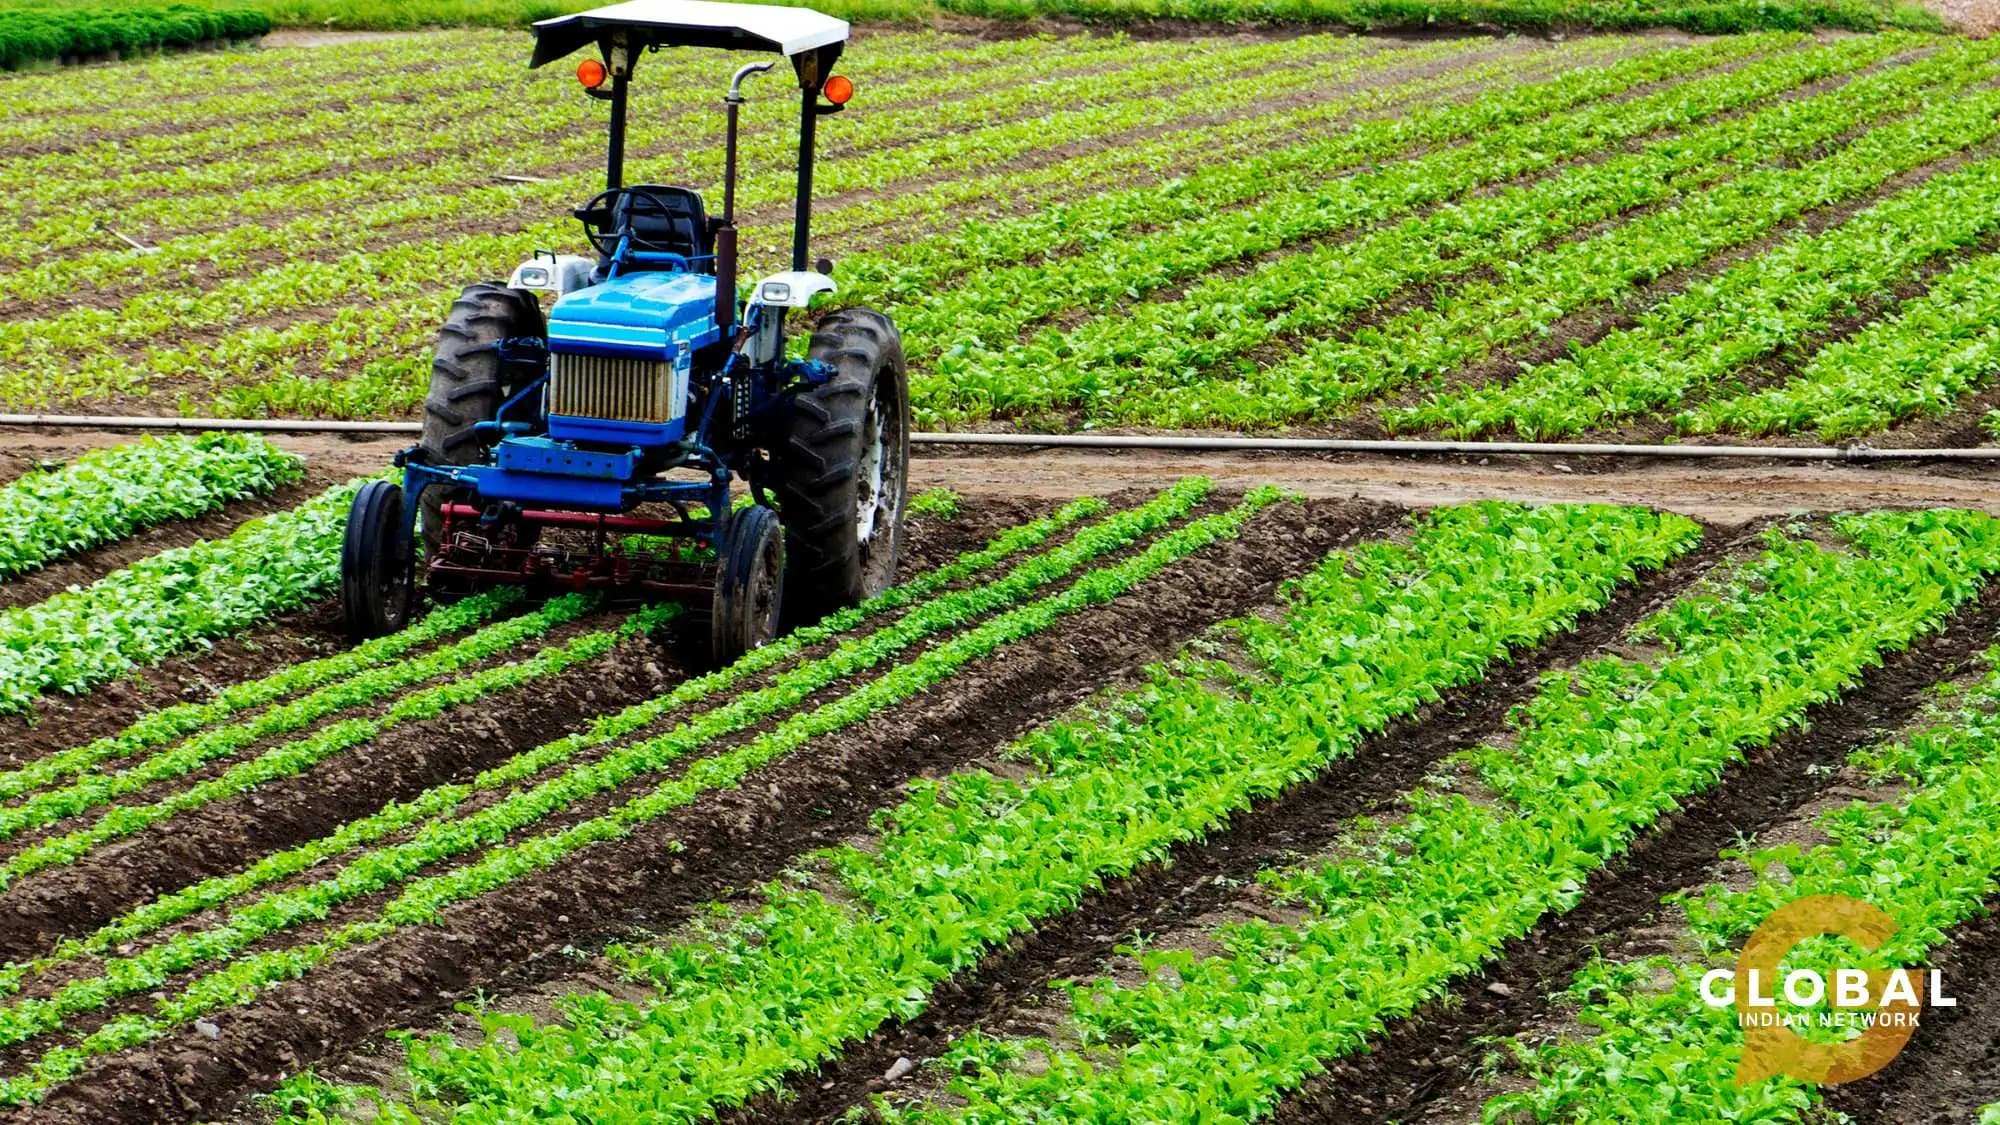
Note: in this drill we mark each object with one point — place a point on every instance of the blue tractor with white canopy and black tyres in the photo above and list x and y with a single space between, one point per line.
595 443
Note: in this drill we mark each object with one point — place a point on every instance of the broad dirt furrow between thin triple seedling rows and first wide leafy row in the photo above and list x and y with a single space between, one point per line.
725 840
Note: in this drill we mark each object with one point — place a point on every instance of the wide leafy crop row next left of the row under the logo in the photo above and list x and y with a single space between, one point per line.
1409 906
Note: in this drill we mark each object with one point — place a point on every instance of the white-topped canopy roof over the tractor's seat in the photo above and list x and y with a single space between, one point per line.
691 23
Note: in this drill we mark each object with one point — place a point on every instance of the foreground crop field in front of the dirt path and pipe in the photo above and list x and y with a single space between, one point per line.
1103 792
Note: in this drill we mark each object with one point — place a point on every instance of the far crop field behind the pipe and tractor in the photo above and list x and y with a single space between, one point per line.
1751 239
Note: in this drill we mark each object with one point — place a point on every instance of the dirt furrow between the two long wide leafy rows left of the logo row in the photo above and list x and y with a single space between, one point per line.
1203 878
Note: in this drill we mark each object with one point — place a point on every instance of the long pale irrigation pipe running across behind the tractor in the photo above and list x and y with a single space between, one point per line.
1183 443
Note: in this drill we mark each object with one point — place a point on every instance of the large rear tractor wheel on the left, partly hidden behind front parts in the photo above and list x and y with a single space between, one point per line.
469 383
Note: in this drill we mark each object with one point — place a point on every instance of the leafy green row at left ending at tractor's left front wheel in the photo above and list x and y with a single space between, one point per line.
173 600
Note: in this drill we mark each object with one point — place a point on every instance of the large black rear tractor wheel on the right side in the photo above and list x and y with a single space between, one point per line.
841 469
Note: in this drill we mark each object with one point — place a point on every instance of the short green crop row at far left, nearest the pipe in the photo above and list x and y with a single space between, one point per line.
111 493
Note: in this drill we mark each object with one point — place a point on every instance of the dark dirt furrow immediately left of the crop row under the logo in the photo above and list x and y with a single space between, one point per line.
1437 1050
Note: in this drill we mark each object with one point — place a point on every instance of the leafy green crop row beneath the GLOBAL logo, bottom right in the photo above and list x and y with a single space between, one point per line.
1929 858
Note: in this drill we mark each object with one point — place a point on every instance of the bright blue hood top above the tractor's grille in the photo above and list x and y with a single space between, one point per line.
645 313
